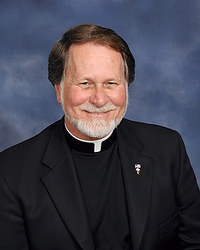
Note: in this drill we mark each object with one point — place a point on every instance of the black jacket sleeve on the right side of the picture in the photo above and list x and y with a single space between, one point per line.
188 202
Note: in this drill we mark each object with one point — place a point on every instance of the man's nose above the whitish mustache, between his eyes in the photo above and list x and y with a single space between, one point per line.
99 97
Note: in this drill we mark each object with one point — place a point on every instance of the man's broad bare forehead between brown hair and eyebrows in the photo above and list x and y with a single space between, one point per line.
93 61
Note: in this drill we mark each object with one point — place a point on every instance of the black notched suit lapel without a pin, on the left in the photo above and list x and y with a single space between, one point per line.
63 186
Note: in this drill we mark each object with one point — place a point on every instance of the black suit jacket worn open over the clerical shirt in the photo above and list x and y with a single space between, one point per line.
42 206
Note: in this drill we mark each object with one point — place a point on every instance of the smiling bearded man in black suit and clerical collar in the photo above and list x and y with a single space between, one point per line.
94 180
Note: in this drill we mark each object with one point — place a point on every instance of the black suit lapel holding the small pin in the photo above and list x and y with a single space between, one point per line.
137 187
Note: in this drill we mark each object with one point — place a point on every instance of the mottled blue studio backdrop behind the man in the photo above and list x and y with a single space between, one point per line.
164 37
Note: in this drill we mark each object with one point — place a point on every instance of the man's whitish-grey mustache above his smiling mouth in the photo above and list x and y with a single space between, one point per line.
93 109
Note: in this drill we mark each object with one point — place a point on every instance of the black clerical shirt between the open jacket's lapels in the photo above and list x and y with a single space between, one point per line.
102 185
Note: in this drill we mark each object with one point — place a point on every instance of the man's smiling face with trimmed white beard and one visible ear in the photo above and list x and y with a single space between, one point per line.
93 92
